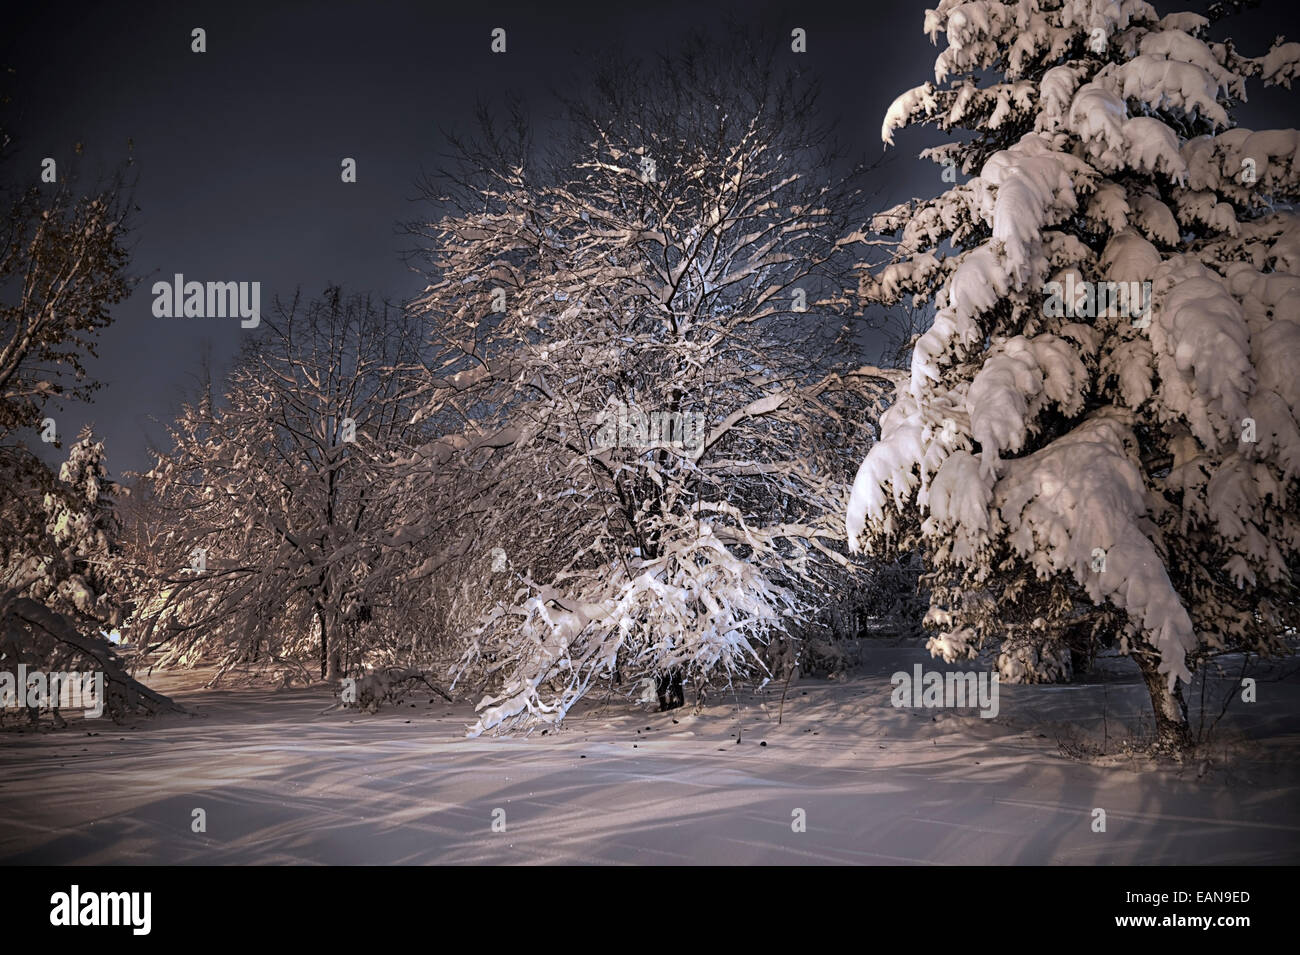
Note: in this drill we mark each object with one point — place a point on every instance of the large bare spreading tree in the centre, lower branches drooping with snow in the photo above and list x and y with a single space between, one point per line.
655 453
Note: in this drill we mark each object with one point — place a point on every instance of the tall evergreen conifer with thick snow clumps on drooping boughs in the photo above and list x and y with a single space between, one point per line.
1099 435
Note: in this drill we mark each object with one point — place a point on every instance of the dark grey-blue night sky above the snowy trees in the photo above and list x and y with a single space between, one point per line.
237 151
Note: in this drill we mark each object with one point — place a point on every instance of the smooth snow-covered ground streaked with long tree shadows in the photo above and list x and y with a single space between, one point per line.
281 782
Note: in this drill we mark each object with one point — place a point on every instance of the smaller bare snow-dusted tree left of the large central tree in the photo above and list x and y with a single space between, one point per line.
275 500
